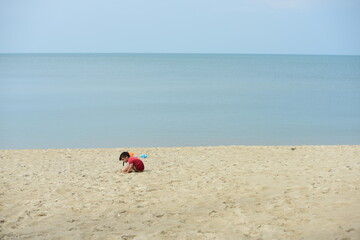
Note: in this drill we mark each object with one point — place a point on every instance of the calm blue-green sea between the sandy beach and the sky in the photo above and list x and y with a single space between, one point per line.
147 100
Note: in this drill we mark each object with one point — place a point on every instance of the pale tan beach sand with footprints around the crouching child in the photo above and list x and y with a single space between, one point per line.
233 192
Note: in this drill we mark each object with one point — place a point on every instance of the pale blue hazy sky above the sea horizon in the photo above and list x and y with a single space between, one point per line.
329 27
